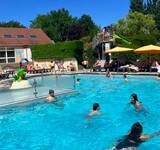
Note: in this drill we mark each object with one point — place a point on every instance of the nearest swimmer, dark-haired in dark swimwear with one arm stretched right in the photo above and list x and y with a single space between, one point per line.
134 138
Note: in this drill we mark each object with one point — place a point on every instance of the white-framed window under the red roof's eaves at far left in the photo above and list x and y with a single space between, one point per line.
7 55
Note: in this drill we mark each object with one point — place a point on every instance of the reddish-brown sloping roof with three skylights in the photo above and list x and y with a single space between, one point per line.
22 37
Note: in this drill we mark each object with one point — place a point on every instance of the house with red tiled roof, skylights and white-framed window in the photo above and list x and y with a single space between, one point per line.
15 43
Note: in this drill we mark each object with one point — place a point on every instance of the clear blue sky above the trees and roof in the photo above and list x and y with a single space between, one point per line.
103 12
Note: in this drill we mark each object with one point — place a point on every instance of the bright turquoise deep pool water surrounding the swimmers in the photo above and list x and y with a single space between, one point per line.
45 126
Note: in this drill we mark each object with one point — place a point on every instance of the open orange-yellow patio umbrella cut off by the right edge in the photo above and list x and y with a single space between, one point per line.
149 49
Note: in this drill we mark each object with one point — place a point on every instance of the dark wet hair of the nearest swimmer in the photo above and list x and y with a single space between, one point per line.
136 131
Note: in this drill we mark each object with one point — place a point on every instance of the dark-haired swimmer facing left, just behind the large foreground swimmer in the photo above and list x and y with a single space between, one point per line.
135 102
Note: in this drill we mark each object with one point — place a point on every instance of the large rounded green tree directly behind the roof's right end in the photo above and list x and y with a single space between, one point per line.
54 24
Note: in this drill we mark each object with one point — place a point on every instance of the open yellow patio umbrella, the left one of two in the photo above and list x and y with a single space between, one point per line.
119 50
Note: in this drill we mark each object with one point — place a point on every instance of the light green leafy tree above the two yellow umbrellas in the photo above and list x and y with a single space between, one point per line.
138 28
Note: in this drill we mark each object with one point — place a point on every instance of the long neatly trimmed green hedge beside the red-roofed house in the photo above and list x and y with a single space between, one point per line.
68 49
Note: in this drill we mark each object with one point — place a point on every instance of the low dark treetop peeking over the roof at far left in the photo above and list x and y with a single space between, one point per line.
11 24
